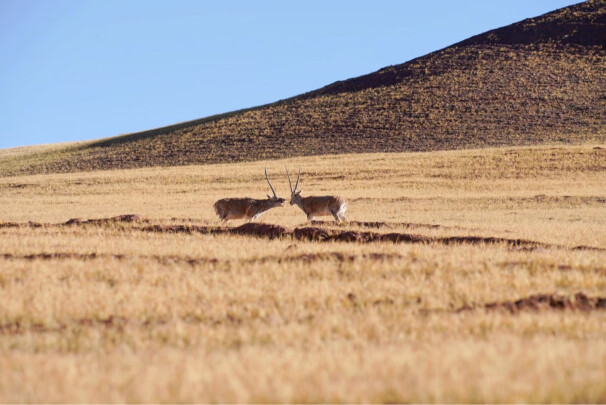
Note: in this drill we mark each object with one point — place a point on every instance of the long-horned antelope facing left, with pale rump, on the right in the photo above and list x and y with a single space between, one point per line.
315 206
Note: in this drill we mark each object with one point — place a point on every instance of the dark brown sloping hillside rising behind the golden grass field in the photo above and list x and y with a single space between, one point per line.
538 81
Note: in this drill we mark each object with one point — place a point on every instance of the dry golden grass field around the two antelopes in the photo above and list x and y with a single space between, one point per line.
175 307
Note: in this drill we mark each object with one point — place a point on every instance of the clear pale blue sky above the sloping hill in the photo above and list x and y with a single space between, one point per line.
77 70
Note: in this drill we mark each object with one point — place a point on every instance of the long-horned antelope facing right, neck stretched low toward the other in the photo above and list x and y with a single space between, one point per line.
248 208
